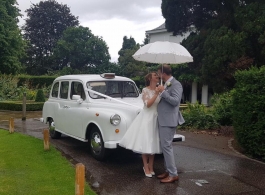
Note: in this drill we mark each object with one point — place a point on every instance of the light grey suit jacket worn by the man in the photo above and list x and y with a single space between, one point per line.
168 107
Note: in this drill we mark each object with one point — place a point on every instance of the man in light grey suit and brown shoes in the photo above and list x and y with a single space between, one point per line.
169 117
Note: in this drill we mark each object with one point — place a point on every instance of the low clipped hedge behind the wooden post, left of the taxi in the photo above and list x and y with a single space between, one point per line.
17 105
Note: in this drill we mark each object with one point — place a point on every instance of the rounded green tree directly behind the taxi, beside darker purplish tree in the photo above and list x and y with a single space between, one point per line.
80 49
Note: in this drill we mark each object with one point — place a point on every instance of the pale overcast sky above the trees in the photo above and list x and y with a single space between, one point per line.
112 19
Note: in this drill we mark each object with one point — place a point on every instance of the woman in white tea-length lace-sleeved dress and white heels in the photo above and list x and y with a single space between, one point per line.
142 136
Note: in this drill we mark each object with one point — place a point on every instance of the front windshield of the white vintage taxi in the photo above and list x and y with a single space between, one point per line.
116 89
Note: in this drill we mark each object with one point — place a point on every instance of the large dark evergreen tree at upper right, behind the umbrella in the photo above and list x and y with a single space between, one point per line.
229 37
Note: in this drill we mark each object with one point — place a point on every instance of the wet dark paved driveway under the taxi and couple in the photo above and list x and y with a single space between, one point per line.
206 165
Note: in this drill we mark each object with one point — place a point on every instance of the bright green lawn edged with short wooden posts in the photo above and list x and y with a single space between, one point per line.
25 168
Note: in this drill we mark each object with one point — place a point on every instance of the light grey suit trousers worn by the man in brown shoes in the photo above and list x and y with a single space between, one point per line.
166 135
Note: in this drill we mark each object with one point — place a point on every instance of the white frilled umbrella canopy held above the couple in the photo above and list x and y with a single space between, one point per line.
163 52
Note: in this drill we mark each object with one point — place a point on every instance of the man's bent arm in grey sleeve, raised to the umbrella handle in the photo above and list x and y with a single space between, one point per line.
173 96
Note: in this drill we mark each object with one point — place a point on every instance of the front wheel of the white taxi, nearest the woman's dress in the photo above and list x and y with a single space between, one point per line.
96 145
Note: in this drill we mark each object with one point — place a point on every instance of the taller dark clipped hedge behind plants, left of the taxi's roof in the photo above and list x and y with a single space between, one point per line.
36 81
